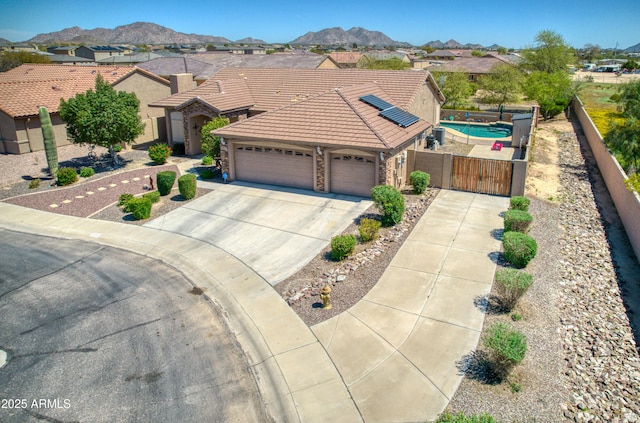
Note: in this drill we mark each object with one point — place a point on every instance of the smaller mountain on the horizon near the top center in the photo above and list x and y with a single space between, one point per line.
338 36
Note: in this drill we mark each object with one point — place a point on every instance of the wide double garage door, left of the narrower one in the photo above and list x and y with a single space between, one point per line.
277 166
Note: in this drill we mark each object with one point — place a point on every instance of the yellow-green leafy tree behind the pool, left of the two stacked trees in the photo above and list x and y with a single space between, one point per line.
502 85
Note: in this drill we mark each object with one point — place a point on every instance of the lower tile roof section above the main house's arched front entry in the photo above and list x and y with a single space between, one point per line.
221 95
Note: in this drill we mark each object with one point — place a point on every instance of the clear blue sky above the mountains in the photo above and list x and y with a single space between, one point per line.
512 24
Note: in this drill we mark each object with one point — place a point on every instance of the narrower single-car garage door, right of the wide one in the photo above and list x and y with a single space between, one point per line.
354 175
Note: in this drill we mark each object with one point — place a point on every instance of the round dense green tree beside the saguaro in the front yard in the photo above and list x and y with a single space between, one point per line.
103 117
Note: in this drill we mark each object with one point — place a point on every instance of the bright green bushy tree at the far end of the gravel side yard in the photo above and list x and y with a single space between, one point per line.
552 91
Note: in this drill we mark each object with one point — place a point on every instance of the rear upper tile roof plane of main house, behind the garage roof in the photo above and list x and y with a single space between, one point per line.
274 88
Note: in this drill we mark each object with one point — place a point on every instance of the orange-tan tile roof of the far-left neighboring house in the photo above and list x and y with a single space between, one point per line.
25 88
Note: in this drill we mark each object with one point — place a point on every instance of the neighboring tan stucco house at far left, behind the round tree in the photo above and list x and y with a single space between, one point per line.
25 88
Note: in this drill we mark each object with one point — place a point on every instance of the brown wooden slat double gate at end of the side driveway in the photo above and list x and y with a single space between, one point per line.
485 176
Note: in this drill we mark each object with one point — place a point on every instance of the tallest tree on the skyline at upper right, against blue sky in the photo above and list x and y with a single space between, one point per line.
550 53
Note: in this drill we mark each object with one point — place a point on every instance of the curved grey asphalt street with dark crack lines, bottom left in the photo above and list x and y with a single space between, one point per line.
94 333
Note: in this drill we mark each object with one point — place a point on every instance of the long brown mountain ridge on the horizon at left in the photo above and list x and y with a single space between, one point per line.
135 33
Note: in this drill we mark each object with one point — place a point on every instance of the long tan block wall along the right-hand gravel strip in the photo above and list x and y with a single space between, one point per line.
627 203
